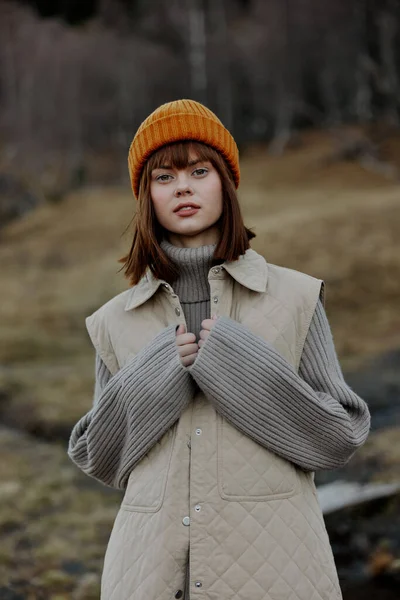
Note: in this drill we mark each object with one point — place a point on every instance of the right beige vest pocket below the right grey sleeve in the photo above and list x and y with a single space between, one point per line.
248 471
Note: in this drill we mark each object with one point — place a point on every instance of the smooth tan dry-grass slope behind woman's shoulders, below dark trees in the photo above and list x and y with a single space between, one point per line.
338 223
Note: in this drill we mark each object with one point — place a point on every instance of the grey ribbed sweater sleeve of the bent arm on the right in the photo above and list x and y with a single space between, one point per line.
312 418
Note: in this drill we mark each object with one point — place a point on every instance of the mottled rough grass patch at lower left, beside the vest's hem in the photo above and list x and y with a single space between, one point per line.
54 522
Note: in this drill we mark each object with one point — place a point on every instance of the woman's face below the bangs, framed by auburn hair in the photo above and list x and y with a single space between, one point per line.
188 202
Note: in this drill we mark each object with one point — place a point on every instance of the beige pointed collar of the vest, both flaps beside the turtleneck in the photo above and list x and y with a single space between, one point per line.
250 270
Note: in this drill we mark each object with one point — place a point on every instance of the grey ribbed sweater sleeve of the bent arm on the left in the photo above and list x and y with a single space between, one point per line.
131 411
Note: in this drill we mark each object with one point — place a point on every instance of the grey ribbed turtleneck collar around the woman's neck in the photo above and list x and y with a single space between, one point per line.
193 264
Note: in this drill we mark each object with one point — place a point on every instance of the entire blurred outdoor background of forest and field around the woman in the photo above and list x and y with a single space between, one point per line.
311 91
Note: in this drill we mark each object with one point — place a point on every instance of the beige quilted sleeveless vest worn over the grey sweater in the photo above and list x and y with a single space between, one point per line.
251 519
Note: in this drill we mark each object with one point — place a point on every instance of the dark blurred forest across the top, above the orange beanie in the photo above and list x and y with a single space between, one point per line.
267 68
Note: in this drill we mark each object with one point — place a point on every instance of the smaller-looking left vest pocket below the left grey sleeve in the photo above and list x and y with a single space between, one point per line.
147 483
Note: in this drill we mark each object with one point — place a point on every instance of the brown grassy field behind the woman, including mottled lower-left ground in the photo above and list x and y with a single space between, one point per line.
59 263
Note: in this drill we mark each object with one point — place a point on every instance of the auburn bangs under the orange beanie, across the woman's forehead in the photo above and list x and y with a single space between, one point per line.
177 155
